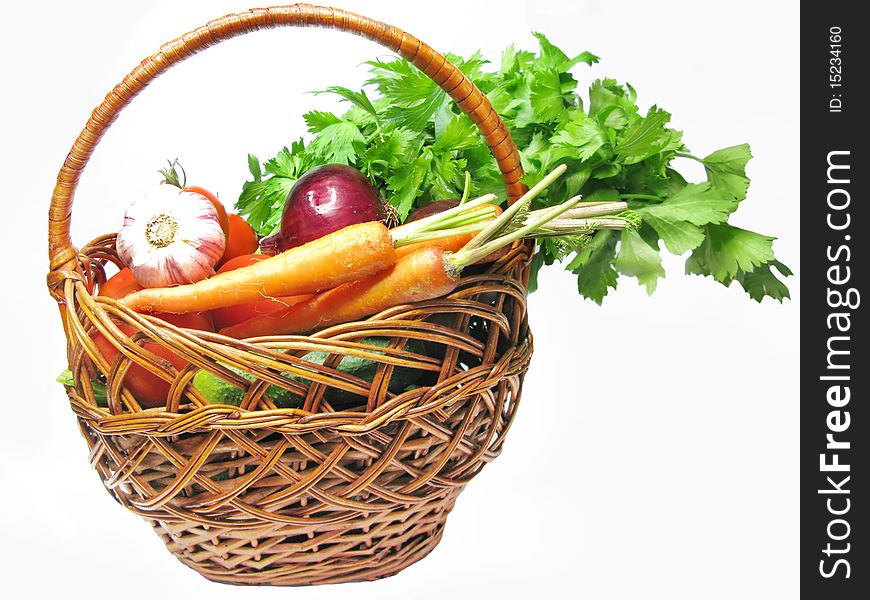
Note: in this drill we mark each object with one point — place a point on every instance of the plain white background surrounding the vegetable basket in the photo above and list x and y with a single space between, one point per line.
655 453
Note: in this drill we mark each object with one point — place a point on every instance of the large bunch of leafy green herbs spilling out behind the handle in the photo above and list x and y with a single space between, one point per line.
416 146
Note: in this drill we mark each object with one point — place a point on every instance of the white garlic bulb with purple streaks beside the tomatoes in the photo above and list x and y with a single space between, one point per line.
170 237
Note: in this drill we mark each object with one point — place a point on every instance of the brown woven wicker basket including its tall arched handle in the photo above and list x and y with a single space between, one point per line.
324 493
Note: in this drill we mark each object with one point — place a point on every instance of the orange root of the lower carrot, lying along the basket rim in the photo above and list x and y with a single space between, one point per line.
423 275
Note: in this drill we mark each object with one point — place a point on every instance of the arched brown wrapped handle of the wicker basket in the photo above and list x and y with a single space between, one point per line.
62 254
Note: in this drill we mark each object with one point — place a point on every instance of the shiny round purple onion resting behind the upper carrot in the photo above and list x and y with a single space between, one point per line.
325 199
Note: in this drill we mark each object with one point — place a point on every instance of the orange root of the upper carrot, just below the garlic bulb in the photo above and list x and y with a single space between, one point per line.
345 255
